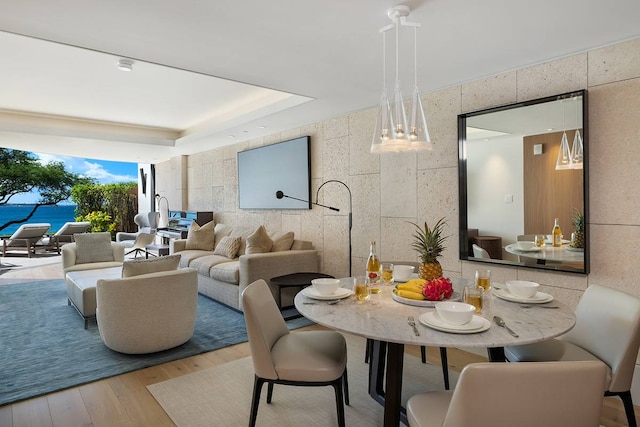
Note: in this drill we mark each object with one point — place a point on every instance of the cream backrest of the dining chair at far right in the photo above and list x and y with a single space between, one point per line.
608 326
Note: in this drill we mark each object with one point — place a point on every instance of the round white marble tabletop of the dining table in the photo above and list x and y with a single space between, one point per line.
382 318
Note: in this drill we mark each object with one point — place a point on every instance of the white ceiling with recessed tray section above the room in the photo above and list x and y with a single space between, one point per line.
205 70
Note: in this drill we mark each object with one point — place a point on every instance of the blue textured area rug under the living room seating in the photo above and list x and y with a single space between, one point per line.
44 348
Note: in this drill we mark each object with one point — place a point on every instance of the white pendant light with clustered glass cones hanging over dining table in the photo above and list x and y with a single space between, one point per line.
392 132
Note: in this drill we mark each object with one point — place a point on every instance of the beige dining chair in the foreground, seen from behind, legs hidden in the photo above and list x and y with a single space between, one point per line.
550 394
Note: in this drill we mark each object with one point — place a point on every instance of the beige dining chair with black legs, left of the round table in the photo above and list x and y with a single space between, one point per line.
309 358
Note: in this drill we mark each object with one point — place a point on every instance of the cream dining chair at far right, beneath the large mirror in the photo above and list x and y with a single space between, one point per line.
608 330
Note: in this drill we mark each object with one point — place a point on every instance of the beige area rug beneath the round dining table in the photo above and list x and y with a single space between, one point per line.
222 395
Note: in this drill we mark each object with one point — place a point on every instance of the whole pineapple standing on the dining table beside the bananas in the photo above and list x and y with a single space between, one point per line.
429 243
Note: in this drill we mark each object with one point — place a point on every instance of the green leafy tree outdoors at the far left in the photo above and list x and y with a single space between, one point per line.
20 172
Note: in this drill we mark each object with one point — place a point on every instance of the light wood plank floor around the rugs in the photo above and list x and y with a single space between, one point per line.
124 401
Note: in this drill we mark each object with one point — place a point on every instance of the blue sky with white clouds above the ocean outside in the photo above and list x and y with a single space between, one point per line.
105 172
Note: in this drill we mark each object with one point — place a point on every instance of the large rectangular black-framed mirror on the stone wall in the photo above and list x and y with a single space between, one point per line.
513 185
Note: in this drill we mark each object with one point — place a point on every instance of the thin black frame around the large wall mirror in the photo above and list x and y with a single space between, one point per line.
462 180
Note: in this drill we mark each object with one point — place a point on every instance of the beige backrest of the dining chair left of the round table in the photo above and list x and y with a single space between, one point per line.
265 325
